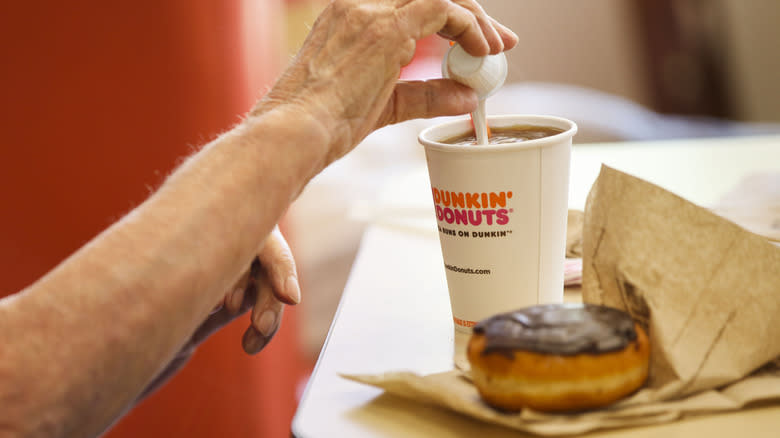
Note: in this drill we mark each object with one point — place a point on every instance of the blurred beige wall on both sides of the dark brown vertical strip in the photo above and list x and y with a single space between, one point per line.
597 44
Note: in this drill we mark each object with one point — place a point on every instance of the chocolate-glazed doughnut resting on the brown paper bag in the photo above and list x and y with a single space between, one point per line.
558 357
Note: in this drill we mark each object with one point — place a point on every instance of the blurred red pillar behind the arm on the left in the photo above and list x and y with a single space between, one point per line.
100 100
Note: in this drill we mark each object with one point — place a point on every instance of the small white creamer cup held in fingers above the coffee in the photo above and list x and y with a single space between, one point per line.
485 74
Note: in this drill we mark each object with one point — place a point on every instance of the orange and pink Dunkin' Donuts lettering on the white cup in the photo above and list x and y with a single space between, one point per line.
469 208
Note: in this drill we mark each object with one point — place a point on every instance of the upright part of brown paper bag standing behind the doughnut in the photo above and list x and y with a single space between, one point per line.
709 290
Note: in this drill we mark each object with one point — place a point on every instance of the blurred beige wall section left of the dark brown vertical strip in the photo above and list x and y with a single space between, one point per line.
591 43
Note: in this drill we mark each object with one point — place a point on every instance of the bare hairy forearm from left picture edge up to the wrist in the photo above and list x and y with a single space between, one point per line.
78 346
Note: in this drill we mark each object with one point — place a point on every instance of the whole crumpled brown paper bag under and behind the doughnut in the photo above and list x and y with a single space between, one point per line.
708 291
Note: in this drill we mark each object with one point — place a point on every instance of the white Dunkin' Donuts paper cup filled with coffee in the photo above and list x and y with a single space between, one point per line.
501 212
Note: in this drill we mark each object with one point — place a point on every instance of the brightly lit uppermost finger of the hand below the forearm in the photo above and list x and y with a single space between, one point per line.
277 259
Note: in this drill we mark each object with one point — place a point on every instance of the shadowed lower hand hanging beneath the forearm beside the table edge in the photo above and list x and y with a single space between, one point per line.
270 282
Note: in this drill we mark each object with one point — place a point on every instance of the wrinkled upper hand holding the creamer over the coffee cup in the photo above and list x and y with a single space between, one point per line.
345 75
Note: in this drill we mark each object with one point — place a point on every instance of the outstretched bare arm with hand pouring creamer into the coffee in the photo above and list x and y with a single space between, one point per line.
78 346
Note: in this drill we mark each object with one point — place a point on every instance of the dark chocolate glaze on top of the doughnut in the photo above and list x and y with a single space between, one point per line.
564 329
